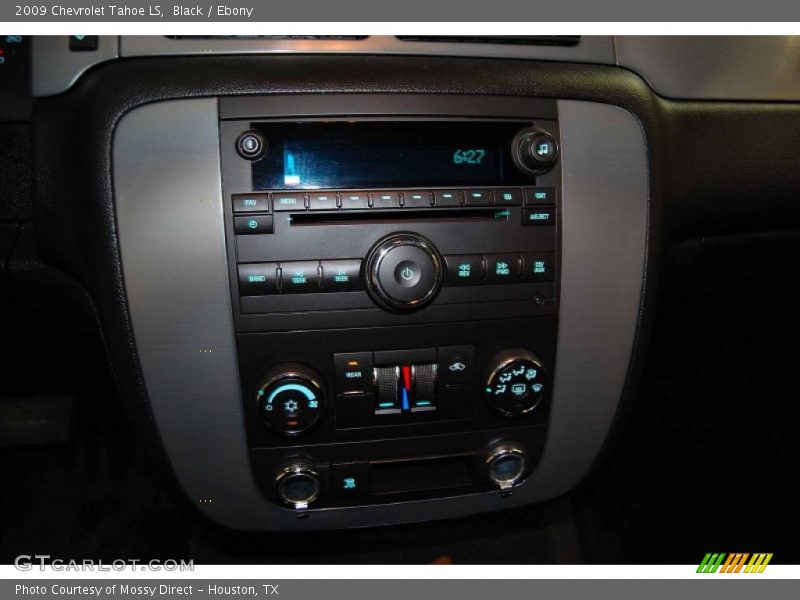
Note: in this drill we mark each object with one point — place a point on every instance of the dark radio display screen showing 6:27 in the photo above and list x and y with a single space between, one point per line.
380 154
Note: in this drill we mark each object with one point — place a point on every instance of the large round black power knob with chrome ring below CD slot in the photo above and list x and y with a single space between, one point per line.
404 271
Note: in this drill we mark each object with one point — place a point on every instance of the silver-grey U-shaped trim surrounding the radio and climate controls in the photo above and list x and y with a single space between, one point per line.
170 222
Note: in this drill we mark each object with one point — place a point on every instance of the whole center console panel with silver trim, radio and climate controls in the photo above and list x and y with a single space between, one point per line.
355 309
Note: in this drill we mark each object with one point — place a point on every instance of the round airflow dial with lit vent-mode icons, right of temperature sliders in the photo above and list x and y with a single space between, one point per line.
516 384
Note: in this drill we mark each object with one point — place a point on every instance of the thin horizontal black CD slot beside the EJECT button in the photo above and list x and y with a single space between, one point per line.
400 215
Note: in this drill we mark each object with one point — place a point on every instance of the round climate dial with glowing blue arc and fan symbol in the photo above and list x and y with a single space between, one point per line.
290 399
